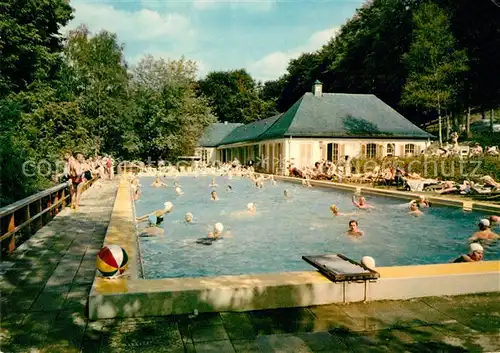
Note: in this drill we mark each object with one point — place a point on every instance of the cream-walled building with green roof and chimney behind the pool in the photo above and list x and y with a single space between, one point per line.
319 126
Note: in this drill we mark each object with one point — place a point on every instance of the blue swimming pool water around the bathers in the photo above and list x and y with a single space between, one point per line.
283 230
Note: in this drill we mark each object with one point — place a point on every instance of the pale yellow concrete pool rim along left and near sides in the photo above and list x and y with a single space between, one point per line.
130 296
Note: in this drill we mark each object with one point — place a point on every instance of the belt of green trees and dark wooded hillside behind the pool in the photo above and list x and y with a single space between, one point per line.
436 60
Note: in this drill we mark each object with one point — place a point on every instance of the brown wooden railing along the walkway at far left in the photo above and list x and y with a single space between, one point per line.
25 217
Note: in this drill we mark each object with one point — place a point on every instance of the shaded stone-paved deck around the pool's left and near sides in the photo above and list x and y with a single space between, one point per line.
45 285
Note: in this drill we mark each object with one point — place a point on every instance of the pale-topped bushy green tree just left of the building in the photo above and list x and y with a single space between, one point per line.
170 117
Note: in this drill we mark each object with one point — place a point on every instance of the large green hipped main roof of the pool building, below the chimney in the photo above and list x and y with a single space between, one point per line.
343 115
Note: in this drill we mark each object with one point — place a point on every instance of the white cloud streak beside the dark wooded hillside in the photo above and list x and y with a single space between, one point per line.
273 65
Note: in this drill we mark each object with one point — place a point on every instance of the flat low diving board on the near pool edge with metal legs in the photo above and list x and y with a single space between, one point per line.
340 268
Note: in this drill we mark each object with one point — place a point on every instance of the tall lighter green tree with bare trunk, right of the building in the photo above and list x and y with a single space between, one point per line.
434 63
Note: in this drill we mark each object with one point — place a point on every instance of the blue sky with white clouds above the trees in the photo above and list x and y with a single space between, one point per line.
258 35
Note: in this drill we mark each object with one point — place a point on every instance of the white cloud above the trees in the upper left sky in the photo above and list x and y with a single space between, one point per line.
138 25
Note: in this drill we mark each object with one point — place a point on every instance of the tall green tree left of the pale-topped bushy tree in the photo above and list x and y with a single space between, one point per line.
101 82
